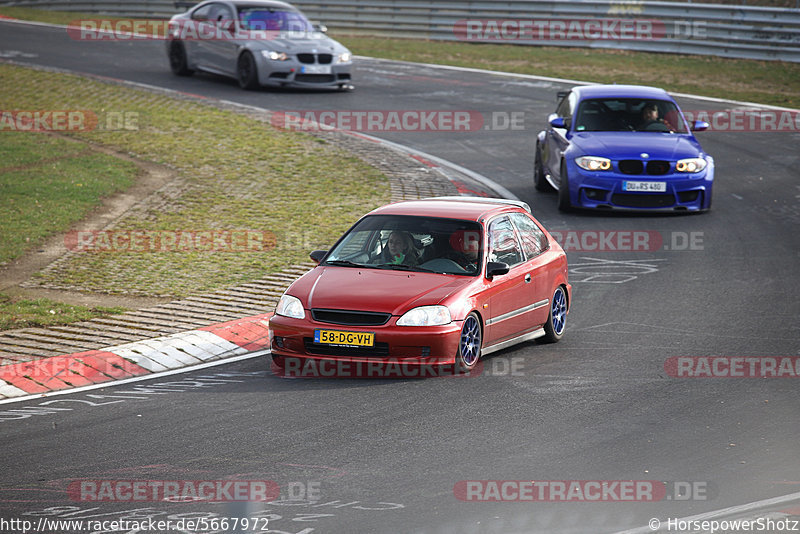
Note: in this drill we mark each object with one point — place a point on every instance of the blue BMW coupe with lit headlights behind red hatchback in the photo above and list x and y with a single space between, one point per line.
623 147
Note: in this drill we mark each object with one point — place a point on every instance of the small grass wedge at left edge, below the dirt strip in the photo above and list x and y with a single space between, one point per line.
19 313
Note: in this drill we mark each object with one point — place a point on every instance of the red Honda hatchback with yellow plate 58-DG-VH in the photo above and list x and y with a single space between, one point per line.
434 282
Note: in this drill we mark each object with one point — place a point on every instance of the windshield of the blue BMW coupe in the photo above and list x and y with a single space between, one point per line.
628 115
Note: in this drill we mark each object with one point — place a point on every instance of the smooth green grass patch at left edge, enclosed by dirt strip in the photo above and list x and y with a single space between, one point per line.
47 184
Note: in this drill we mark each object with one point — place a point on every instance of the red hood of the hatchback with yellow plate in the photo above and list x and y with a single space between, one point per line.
375 290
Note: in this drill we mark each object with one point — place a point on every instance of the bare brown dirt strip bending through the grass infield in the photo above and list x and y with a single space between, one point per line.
151 177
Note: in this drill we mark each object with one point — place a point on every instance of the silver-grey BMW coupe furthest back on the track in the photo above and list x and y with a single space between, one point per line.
258 42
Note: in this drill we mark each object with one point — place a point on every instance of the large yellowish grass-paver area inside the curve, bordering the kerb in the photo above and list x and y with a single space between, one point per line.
234 172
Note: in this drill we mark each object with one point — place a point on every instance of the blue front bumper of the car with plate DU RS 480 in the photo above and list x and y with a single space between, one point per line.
605 190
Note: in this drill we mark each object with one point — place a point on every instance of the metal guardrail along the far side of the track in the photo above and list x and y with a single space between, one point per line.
735 31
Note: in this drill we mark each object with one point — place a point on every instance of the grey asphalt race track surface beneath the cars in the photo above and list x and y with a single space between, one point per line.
385 456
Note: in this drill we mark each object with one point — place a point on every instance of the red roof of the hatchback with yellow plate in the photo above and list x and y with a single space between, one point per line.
467 208
